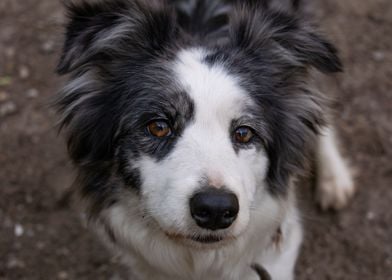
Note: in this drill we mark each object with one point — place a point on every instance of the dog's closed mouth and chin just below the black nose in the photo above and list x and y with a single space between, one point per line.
202 241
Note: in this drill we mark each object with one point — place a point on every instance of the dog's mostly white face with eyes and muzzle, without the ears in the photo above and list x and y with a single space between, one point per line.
203 153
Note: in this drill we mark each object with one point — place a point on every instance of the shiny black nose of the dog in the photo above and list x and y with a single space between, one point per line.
214 208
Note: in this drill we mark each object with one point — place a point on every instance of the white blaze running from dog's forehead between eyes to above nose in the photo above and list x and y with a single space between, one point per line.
219 99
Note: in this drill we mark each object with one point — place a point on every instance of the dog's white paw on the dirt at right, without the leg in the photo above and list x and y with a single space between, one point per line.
335 189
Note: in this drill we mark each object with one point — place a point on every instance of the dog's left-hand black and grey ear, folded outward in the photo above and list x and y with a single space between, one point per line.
100 29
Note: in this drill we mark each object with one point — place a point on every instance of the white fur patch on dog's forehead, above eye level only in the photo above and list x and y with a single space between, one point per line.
215 92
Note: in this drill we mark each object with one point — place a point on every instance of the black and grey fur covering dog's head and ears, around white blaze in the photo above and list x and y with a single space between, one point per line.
126 82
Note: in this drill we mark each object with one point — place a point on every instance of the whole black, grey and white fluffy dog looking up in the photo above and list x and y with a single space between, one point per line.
188 122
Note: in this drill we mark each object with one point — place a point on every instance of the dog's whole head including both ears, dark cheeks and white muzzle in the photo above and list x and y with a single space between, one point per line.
203 137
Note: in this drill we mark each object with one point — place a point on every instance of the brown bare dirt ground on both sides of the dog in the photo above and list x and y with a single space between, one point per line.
41 238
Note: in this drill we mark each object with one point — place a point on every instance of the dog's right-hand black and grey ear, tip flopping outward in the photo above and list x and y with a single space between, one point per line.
255 26
